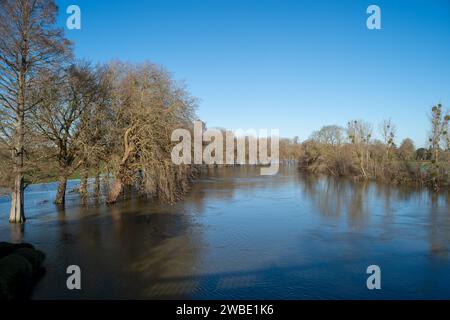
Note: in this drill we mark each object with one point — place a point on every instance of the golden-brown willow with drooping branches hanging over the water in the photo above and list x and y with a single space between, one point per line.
149 105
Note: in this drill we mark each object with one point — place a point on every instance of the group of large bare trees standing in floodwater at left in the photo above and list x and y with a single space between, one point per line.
60 117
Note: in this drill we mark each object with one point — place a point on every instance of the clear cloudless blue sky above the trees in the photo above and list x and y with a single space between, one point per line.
293 65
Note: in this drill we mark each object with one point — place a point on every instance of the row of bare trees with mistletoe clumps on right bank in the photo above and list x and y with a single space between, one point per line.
353 151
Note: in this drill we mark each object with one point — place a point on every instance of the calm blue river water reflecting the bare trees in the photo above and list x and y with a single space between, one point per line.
239 235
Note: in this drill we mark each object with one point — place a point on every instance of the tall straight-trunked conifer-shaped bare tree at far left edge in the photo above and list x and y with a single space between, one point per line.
29 42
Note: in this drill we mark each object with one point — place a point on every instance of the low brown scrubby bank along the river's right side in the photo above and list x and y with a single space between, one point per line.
374 163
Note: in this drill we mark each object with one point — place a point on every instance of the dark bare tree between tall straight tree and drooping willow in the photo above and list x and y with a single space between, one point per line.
65 99
